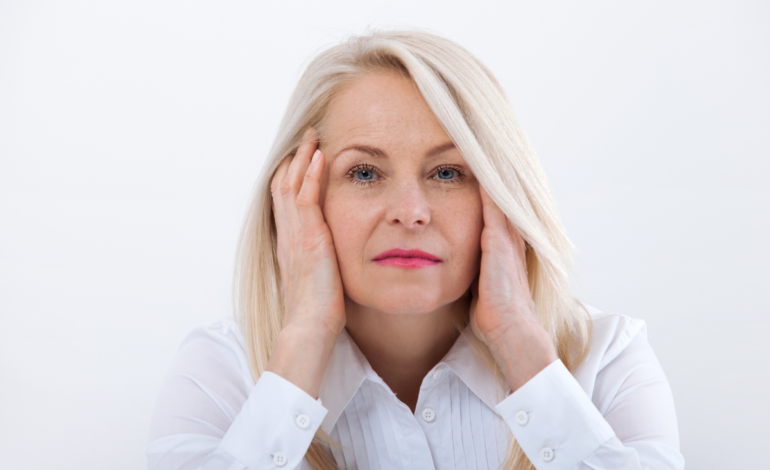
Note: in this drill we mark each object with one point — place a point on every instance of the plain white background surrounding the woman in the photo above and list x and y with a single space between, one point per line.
131 133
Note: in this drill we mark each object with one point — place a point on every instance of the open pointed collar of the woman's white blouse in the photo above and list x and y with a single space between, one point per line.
348 368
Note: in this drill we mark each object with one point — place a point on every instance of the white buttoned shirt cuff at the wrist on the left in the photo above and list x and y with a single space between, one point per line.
275 426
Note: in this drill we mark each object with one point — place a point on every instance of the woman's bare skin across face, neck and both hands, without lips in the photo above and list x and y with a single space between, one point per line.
386 175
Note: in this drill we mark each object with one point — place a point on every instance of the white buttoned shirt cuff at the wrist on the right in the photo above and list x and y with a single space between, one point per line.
553 420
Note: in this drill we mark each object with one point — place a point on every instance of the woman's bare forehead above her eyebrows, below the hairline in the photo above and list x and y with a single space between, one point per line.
385 106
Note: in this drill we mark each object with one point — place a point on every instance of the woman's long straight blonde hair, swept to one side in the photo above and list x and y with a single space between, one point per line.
477 115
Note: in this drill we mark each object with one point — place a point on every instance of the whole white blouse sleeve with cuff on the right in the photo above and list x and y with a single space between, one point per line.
628 424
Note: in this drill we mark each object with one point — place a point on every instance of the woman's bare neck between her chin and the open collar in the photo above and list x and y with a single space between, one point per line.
403 348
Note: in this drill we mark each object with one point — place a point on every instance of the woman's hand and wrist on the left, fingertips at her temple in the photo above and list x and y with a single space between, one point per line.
314 303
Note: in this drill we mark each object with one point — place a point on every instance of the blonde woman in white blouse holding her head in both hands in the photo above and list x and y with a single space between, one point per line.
404 298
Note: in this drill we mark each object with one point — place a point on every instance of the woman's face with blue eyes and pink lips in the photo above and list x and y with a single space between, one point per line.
394 180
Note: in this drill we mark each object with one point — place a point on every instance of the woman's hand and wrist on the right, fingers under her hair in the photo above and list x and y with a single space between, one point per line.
502 310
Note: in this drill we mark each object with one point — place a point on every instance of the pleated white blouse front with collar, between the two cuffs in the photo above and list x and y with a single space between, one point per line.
454 425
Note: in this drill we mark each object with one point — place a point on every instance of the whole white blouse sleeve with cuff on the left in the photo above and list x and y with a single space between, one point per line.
211 416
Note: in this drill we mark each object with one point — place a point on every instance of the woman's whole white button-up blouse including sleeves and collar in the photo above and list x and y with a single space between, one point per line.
615 411
